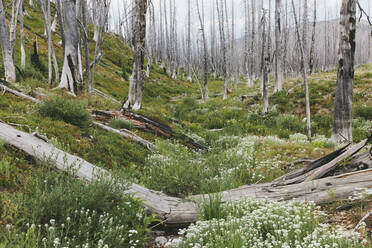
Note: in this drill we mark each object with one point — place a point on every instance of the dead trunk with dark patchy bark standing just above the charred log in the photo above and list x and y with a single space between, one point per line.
134 100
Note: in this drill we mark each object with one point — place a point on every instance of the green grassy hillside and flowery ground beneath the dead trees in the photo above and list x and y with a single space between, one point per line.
245 147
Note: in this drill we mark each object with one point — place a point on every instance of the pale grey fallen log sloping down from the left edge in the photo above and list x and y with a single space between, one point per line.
170 209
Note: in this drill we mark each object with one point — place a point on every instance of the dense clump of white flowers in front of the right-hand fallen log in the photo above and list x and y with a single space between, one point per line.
255 223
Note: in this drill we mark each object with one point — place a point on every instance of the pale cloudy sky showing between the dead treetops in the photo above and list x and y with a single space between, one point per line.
331 8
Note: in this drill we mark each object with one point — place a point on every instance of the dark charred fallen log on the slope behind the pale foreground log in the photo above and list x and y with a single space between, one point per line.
148 124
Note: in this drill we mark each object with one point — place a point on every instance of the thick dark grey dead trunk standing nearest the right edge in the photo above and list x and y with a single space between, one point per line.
342 123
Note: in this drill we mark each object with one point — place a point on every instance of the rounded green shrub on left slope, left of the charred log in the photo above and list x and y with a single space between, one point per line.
69 111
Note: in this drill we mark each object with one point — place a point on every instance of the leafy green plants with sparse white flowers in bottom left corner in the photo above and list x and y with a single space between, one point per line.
62 210
